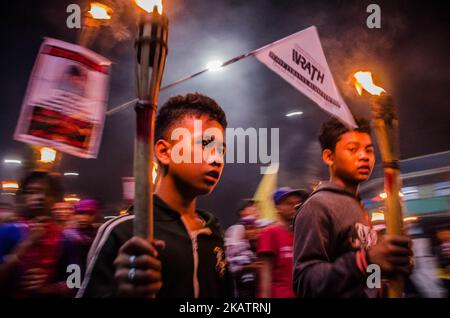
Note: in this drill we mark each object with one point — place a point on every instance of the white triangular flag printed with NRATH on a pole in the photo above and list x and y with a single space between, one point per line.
299 59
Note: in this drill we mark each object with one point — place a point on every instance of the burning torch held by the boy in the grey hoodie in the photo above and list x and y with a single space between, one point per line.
385 122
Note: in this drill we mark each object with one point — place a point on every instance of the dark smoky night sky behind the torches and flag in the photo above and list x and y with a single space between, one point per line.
410 56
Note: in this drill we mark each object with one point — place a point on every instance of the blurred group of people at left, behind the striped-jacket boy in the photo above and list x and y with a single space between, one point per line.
42 236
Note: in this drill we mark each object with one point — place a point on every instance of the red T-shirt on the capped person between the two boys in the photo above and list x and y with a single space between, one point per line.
278 241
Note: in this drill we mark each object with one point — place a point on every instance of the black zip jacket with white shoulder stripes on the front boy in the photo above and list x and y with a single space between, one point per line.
192 266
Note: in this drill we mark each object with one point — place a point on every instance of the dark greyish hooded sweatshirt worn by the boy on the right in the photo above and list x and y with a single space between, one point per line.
330 228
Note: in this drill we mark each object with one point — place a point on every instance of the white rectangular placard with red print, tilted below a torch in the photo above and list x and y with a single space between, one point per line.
64 106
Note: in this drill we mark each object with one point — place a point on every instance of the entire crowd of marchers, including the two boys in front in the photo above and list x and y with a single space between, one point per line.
321 244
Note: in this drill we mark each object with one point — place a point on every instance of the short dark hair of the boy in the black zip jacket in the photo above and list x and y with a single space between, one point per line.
193 104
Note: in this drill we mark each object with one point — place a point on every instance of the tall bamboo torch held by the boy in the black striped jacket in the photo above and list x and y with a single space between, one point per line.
151 53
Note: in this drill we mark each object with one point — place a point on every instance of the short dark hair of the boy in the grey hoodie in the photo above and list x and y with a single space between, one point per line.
332 130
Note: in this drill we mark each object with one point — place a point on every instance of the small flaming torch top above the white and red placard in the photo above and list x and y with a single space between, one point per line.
94 18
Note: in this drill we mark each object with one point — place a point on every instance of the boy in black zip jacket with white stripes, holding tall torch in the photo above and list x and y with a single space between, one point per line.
192 261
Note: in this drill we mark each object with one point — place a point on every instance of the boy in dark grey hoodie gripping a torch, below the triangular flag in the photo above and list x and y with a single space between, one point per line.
333 240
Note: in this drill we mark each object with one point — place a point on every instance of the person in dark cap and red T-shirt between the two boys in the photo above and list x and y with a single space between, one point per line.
275 246
